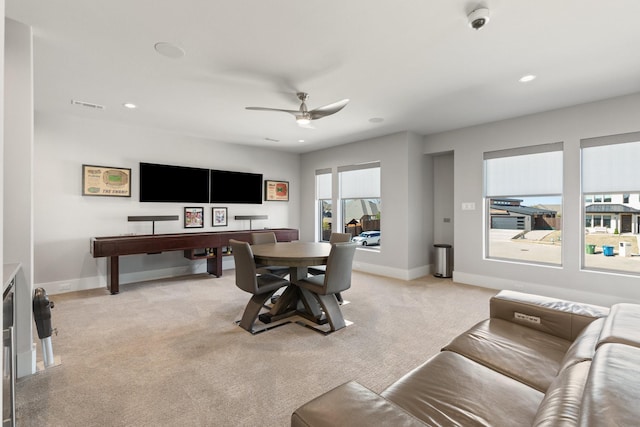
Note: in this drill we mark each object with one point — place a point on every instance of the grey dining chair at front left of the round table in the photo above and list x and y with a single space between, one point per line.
262 286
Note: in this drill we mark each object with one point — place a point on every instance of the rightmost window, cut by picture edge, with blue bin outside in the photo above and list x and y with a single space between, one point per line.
609 171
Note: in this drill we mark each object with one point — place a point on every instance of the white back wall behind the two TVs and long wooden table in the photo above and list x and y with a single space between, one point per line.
65 220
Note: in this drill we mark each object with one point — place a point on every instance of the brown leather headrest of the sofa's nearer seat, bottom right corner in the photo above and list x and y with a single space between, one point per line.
612 392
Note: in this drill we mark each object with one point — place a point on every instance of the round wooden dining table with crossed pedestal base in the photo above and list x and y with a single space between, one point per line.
298 256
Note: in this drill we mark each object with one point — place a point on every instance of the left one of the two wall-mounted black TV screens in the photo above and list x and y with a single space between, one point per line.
167 183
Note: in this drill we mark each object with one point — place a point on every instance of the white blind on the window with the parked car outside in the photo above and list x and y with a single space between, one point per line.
360 182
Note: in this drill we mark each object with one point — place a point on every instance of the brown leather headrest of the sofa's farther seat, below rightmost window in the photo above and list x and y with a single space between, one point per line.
621 326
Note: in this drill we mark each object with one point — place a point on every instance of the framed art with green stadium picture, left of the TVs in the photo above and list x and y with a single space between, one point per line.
106 181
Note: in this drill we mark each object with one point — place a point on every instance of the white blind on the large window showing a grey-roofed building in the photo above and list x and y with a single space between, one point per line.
526 171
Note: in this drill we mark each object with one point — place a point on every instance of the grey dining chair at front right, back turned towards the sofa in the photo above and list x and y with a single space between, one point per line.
336 279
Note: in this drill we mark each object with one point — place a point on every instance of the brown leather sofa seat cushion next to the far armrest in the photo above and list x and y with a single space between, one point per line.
522 353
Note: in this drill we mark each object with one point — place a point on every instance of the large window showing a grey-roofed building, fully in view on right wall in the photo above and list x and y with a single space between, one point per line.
523 204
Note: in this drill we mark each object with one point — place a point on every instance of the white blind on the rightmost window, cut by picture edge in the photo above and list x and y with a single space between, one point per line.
610 168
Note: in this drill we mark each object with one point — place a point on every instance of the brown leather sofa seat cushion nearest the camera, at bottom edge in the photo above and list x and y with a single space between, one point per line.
450 389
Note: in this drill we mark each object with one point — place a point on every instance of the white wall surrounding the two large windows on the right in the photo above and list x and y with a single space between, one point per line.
568 125
